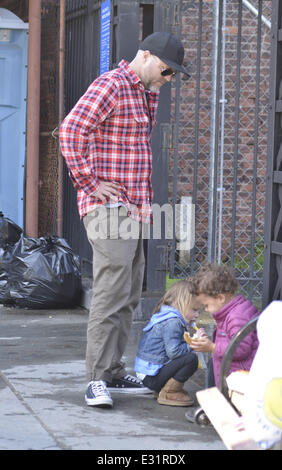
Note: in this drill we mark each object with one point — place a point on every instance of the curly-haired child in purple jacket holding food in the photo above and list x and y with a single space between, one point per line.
216 290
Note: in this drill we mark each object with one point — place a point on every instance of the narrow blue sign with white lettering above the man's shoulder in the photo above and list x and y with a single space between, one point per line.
105 35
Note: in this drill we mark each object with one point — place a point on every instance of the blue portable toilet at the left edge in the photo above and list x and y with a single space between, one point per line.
13 95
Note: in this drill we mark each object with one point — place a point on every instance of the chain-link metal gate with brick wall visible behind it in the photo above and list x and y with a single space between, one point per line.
220 138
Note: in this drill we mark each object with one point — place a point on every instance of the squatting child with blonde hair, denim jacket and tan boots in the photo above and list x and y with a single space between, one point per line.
164 359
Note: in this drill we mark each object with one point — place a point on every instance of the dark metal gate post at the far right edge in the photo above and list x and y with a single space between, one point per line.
273 230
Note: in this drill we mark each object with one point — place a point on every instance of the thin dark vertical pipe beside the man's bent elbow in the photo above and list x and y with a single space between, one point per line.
61 116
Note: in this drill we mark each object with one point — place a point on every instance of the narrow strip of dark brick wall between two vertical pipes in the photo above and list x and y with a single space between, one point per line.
49 118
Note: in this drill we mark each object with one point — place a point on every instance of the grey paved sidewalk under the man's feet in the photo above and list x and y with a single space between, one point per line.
42 386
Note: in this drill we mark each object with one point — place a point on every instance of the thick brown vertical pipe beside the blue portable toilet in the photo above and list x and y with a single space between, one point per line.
33 119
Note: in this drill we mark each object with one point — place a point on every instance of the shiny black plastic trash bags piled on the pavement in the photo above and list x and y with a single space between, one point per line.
37 273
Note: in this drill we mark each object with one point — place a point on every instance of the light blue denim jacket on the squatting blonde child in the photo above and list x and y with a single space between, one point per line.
162 341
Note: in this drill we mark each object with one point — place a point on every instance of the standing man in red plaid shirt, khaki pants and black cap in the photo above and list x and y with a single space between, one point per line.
105 140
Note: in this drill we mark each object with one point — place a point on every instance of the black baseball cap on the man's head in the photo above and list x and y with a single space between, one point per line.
166 47
